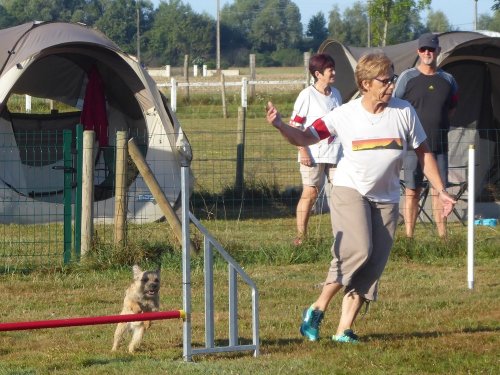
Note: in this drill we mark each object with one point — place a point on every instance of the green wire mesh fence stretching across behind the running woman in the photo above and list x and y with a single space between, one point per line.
31 199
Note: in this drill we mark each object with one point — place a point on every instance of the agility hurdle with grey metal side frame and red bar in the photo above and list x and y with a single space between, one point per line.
188 351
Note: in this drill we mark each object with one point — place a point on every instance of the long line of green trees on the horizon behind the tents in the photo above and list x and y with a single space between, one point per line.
270 29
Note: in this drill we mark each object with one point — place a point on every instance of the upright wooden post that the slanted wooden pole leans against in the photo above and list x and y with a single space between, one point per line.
121 189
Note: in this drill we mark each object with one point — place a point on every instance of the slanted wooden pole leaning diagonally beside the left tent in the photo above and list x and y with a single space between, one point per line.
155 189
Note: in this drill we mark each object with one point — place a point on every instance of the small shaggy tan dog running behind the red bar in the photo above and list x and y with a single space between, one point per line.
141 296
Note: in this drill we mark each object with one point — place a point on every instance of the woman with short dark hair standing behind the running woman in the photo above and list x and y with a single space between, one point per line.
317 161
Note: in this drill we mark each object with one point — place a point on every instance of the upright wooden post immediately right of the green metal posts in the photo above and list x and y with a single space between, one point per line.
87 191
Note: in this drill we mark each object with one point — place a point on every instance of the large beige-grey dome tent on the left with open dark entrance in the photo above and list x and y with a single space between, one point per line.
52 60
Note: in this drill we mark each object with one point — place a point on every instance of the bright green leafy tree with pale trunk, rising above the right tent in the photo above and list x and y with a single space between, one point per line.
383 13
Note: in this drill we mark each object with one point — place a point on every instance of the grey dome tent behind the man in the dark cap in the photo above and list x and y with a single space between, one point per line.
474 60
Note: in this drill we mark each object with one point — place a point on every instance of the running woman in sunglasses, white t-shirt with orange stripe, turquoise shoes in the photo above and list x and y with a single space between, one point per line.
375 132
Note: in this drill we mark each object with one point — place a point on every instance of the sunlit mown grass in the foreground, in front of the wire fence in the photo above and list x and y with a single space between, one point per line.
426 321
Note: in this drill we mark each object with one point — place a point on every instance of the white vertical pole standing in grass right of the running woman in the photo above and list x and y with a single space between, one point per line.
470 217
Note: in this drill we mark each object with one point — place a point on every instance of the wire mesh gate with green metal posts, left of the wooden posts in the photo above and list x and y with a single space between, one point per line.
40 183
